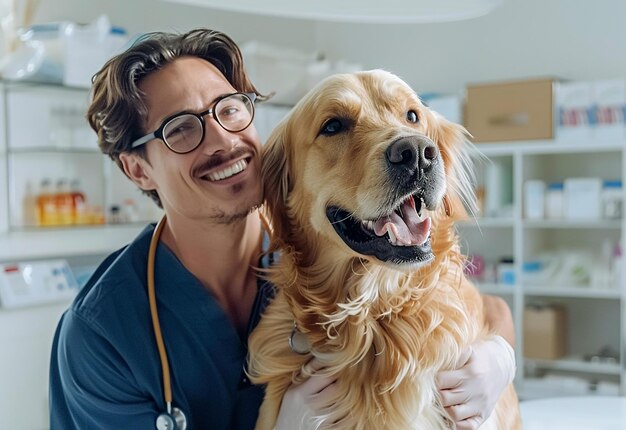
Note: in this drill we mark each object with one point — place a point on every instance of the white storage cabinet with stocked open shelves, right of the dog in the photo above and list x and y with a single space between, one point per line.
567 262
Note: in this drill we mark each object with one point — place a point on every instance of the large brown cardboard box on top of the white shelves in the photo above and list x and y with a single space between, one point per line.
521 110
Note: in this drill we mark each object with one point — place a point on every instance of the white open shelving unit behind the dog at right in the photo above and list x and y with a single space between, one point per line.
596 316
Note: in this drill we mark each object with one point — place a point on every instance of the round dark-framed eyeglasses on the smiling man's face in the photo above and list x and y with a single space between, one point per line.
183 132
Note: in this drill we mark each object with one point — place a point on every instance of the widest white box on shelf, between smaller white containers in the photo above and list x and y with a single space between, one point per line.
582 198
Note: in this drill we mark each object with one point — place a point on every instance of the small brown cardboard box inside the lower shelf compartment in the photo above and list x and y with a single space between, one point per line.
545 332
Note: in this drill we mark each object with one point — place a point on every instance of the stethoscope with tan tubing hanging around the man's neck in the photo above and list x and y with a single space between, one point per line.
172 418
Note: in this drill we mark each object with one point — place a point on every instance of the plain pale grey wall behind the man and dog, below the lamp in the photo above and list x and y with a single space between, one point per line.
572 39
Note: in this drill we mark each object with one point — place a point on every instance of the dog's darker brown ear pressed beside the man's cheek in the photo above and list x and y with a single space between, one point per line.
276 181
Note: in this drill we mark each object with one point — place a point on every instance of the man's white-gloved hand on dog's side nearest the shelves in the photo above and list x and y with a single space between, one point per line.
470 392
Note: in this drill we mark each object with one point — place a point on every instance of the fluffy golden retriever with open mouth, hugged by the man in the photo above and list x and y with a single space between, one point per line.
363 185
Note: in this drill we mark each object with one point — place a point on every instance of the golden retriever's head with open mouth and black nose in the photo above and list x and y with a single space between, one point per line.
363 164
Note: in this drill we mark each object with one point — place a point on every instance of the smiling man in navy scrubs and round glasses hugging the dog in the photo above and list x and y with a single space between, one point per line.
175 113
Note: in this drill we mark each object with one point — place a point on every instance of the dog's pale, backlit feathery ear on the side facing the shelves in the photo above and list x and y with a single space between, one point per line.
454 143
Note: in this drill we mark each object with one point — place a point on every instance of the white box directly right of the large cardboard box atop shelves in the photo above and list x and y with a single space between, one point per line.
574 108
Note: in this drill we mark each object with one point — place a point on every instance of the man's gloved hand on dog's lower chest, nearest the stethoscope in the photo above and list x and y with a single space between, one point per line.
301 401
